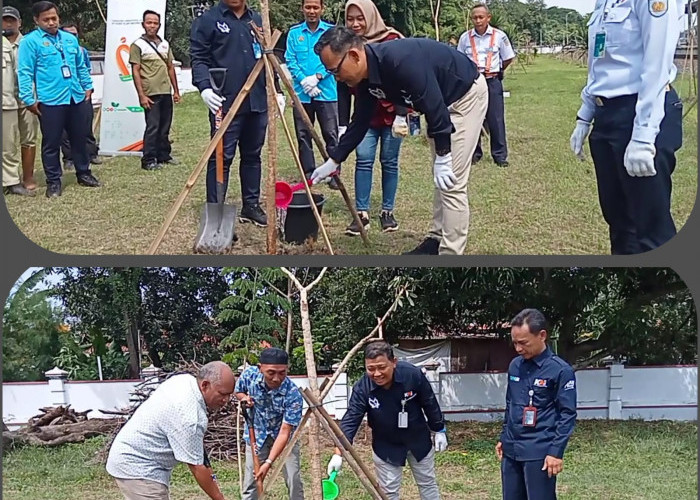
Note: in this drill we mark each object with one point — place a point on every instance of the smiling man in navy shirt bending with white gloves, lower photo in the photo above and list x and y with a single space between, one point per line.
402 411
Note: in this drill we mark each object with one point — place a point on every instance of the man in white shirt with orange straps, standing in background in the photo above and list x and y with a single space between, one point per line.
492 52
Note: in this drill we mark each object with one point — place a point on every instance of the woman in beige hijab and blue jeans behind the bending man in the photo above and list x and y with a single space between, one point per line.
388 126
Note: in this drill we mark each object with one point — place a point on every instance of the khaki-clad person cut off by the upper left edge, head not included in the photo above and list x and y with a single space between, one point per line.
11 182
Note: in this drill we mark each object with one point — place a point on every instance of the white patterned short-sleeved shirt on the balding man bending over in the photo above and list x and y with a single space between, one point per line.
166 429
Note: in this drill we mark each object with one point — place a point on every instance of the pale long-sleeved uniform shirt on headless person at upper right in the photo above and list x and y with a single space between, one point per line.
640 43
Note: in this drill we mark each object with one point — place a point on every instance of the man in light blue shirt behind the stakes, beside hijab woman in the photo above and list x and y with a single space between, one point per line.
315 86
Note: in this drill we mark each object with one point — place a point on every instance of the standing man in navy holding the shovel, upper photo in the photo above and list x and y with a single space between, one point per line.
223 38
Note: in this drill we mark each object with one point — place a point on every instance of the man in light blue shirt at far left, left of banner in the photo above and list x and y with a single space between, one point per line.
52 61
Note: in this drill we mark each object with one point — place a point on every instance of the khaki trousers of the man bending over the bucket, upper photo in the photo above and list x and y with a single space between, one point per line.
451 208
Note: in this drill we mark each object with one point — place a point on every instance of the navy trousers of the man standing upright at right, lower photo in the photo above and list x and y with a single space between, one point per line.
526 480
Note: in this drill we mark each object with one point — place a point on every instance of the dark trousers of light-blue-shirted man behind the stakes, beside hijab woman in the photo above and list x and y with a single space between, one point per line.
327 114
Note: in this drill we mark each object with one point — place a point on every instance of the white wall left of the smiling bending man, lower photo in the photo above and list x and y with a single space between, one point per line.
22 400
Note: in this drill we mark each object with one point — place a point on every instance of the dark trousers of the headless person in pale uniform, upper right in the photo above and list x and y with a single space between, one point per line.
637 209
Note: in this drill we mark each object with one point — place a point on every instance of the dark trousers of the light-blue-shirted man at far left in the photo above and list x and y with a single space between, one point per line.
53 121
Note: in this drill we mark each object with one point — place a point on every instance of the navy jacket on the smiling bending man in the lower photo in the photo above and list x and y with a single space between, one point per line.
383 406
